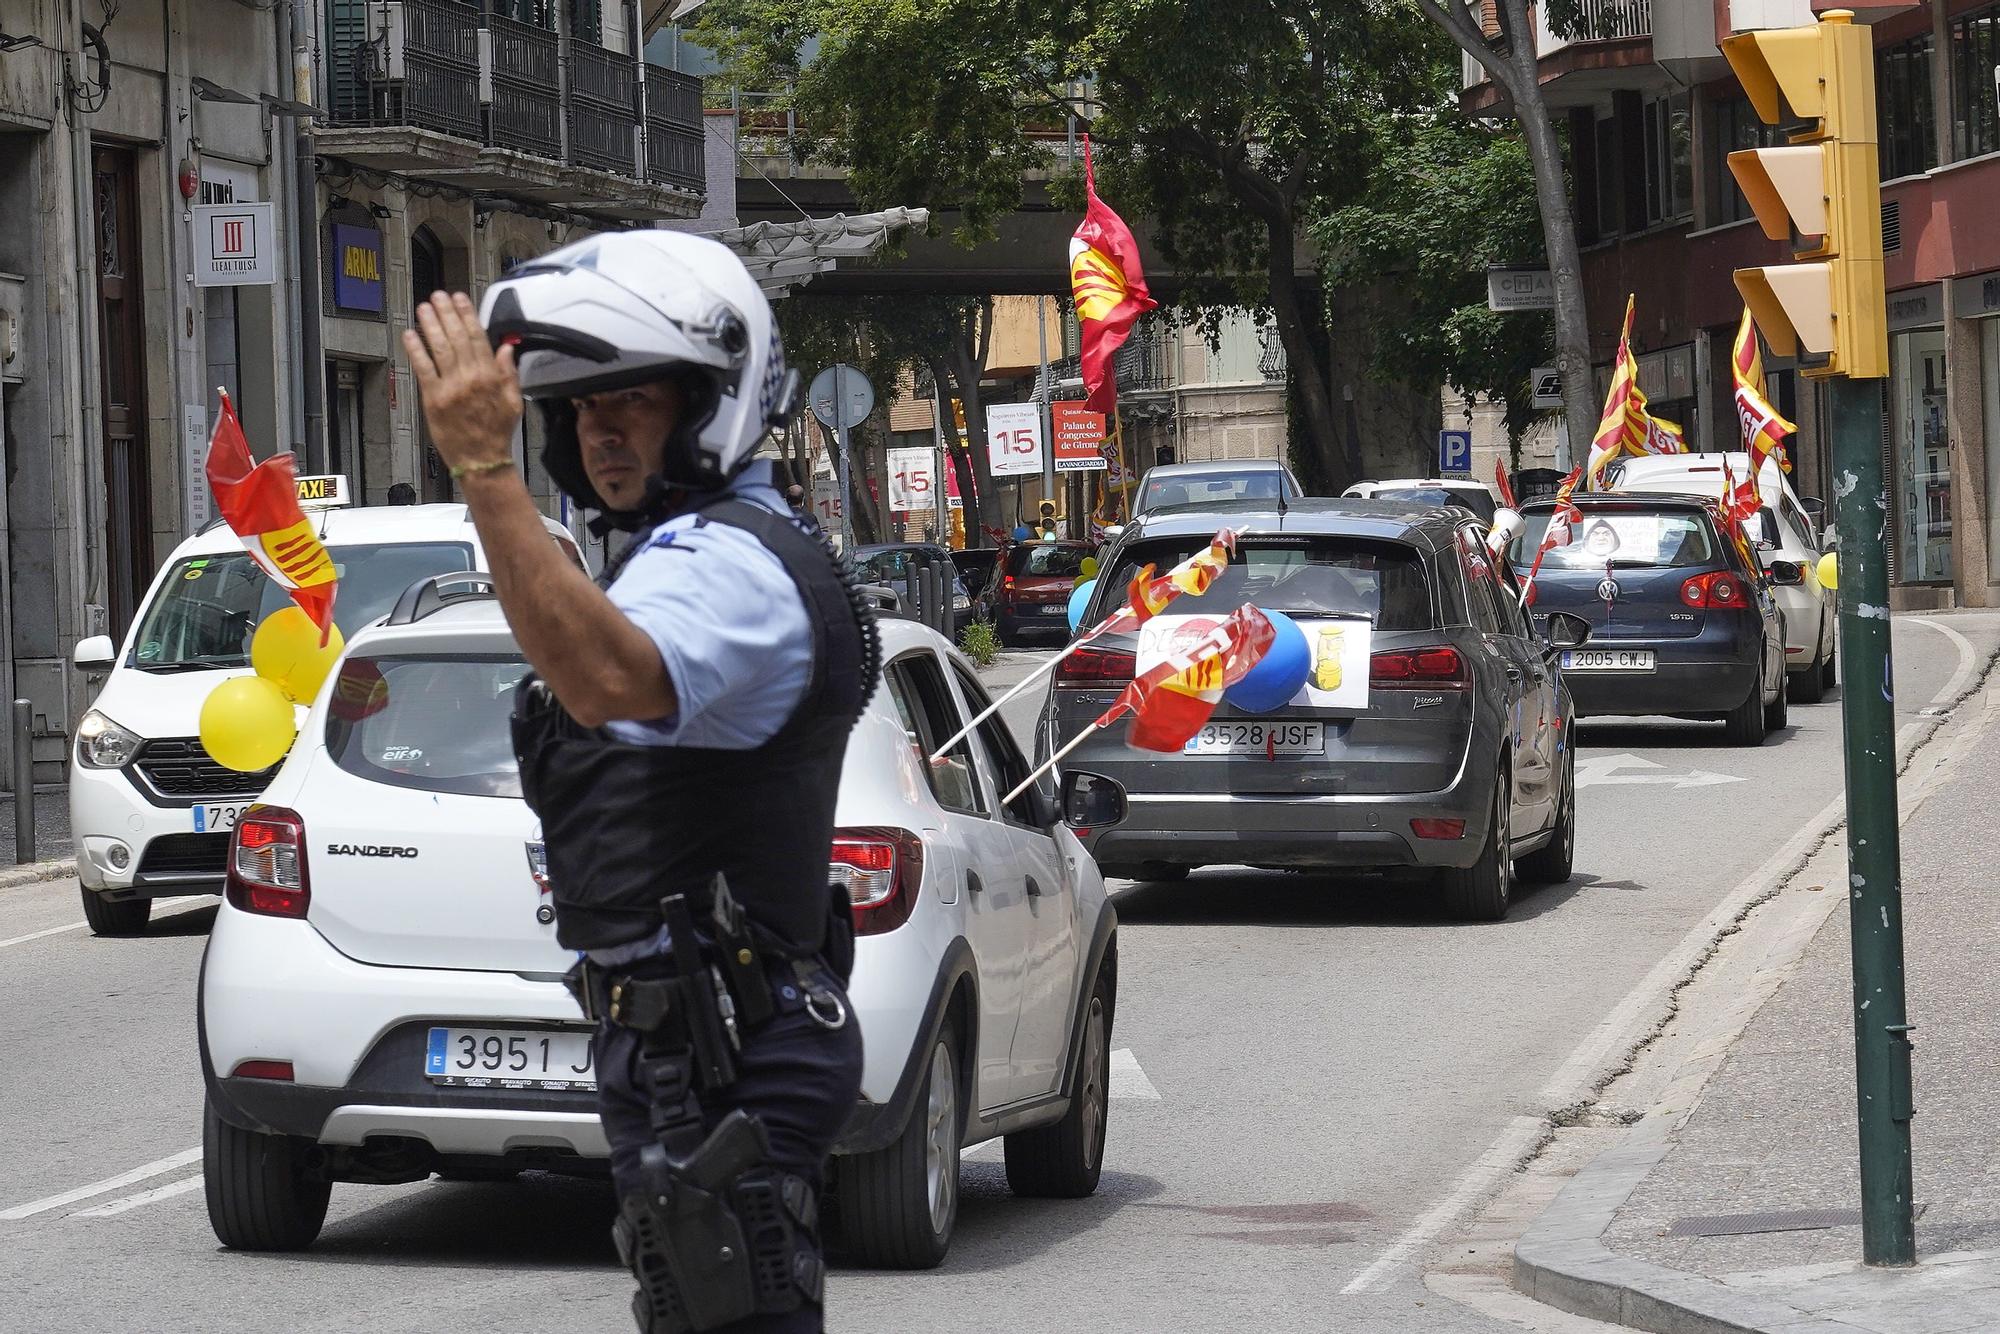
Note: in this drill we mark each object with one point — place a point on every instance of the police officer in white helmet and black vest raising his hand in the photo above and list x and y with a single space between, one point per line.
681 741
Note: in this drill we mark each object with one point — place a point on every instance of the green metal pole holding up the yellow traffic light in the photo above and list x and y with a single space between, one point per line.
1875 855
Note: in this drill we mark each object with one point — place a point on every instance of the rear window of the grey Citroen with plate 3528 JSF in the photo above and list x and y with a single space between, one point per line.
1309 577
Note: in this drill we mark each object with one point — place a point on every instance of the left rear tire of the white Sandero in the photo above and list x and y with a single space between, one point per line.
261 1195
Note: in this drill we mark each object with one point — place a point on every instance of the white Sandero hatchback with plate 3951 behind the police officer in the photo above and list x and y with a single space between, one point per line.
383 1001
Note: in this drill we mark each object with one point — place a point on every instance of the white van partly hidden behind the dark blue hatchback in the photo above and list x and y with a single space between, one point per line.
1787 537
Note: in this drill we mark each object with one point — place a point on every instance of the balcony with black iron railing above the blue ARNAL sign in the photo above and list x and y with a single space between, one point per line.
459 93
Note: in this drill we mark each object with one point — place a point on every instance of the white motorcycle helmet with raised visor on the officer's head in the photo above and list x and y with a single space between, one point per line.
633 307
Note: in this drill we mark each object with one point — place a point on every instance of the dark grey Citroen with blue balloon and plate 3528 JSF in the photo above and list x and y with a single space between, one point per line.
1433 731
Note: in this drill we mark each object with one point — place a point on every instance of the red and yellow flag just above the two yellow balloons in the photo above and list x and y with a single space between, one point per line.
261 505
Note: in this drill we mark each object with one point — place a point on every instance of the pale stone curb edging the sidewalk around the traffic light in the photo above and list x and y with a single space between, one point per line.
1563 1263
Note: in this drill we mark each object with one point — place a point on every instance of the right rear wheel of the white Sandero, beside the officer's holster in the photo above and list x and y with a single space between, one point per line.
899 1205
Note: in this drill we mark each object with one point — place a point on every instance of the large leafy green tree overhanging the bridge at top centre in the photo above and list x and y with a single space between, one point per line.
1229 123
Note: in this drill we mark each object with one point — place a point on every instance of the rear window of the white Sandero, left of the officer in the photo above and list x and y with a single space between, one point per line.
435 723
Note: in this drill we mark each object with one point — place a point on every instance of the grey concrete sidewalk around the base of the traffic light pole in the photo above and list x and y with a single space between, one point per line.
1703 1217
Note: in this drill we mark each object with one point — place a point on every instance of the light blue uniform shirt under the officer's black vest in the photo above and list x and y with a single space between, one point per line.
729 623
